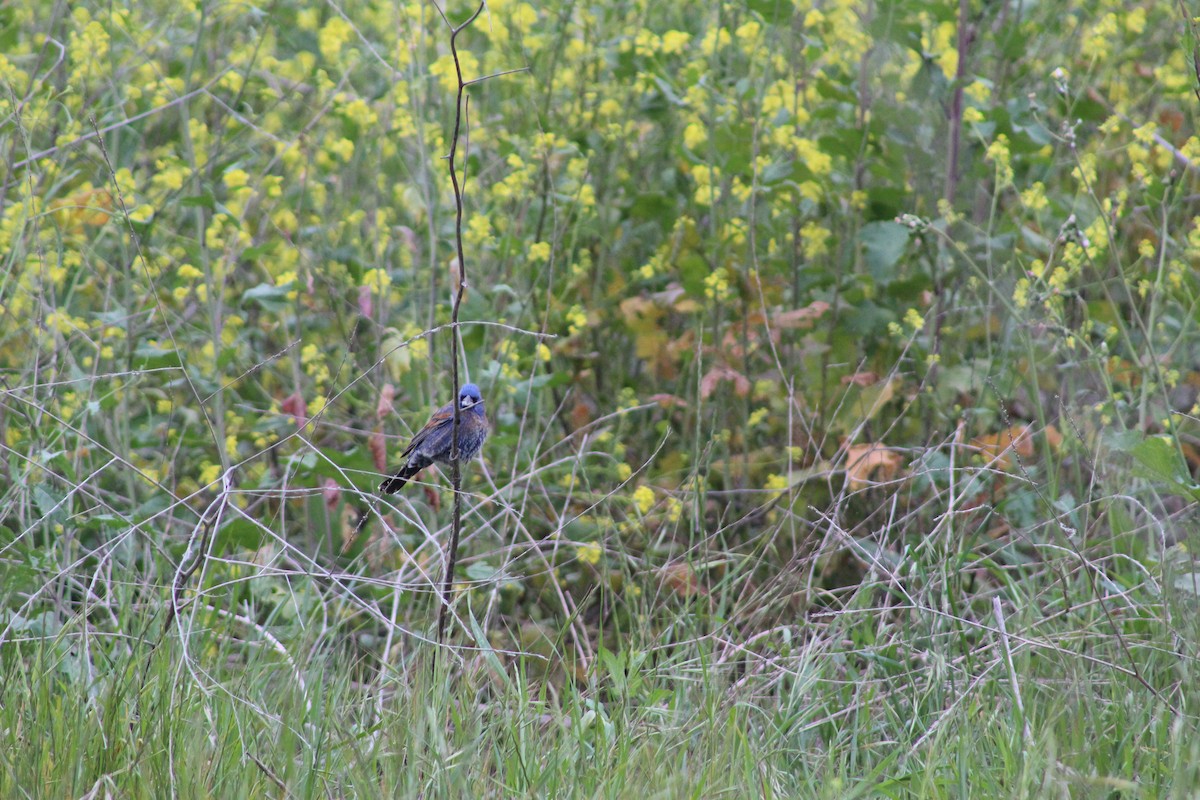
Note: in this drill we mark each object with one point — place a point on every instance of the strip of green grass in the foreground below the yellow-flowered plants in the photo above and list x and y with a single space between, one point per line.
874 703
